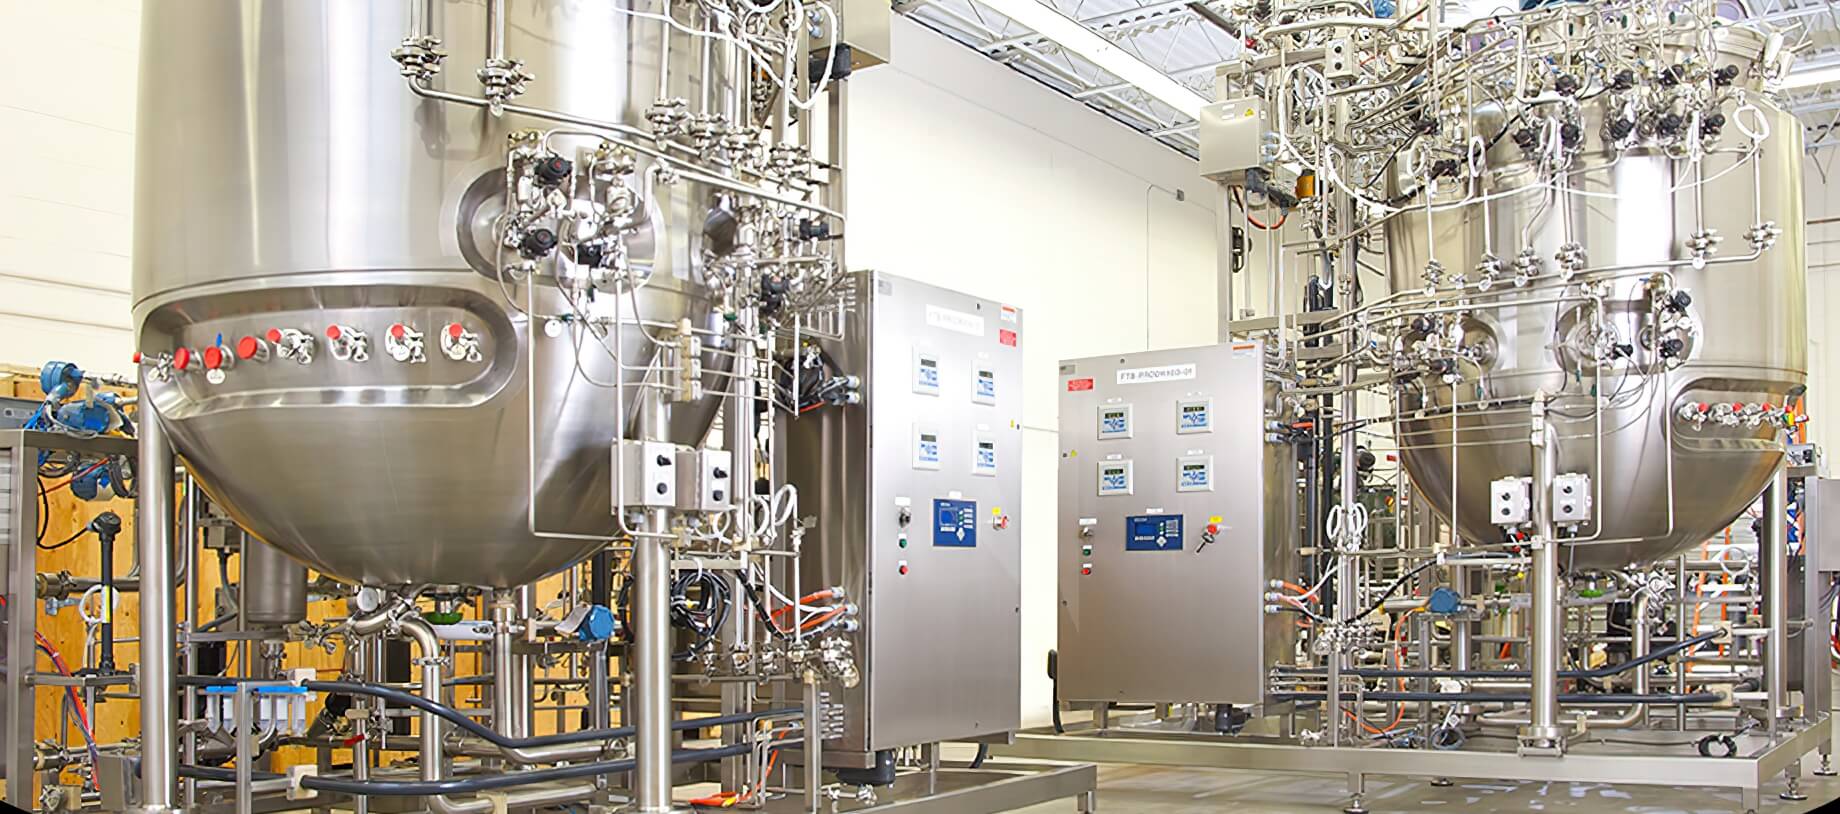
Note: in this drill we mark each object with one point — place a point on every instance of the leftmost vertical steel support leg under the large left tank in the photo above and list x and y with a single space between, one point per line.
155 533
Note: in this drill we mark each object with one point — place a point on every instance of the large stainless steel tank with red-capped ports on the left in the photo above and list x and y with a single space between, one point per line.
290 181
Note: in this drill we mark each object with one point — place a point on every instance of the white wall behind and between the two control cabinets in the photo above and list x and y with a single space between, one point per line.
971 176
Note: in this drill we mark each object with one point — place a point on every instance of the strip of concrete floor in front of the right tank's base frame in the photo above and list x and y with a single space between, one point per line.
1182 791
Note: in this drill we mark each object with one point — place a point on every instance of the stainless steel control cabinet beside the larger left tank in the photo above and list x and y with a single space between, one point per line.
917 496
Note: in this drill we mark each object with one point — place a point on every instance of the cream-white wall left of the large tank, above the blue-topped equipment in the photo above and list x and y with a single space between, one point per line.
67 130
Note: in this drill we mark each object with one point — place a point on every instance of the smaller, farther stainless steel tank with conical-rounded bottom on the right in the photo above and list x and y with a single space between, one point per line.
1662 480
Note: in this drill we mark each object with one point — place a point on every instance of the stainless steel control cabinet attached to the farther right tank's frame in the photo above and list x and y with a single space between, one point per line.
1173 515
